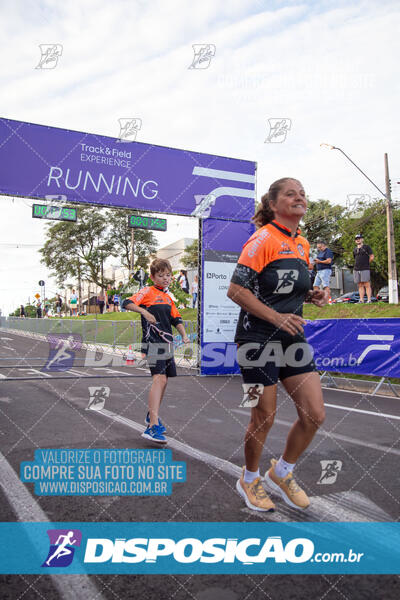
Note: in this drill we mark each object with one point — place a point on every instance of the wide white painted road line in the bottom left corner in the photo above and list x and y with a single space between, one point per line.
74 587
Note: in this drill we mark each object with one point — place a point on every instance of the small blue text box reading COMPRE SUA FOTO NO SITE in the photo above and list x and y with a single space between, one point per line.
99 472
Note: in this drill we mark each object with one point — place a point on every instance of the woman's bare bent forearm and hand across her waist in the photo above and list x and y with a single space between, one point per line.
288 322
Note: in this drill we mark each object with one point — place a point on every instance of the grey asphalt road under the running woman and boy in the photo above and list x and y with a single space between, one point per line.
201 414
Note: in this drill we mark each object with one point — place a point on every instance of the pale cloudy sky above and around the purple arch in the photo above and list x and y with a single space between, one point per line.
328 68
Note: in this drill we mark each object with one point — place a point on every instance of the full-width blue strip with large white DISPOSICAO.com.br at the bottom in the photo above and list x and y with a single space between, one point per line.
200 548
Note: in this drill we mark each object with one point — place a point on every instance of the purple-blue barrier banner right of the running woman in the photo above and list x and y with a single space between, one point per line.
361 346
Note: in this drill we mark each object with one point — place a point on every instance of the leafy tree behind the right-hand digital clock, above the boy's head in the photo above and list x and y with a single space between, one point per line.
145 242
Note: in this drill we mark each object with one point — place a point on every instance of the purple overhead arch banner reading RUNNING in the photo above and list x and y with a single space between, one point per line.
39 161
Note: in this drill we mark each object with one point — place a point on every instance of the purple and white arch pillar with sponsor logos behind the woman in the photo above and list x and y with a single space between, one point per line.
221 246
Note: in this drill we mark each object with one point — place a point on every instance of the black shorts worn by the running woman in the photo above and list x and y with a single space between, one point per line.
275 359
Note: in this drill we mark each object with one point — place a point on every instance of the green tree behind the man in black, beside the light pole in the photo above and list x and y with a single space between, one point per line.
372 225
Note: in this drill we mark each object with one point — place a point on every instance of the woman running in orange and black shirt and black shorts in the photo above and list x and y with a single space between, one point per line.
270 284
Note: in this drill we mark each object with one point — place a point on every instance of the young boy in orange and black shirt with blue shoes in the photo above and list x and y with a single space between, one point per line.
158 312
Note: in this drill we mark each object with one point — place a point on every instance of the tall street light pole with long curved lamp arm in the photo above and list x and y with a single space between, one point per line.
392 272
